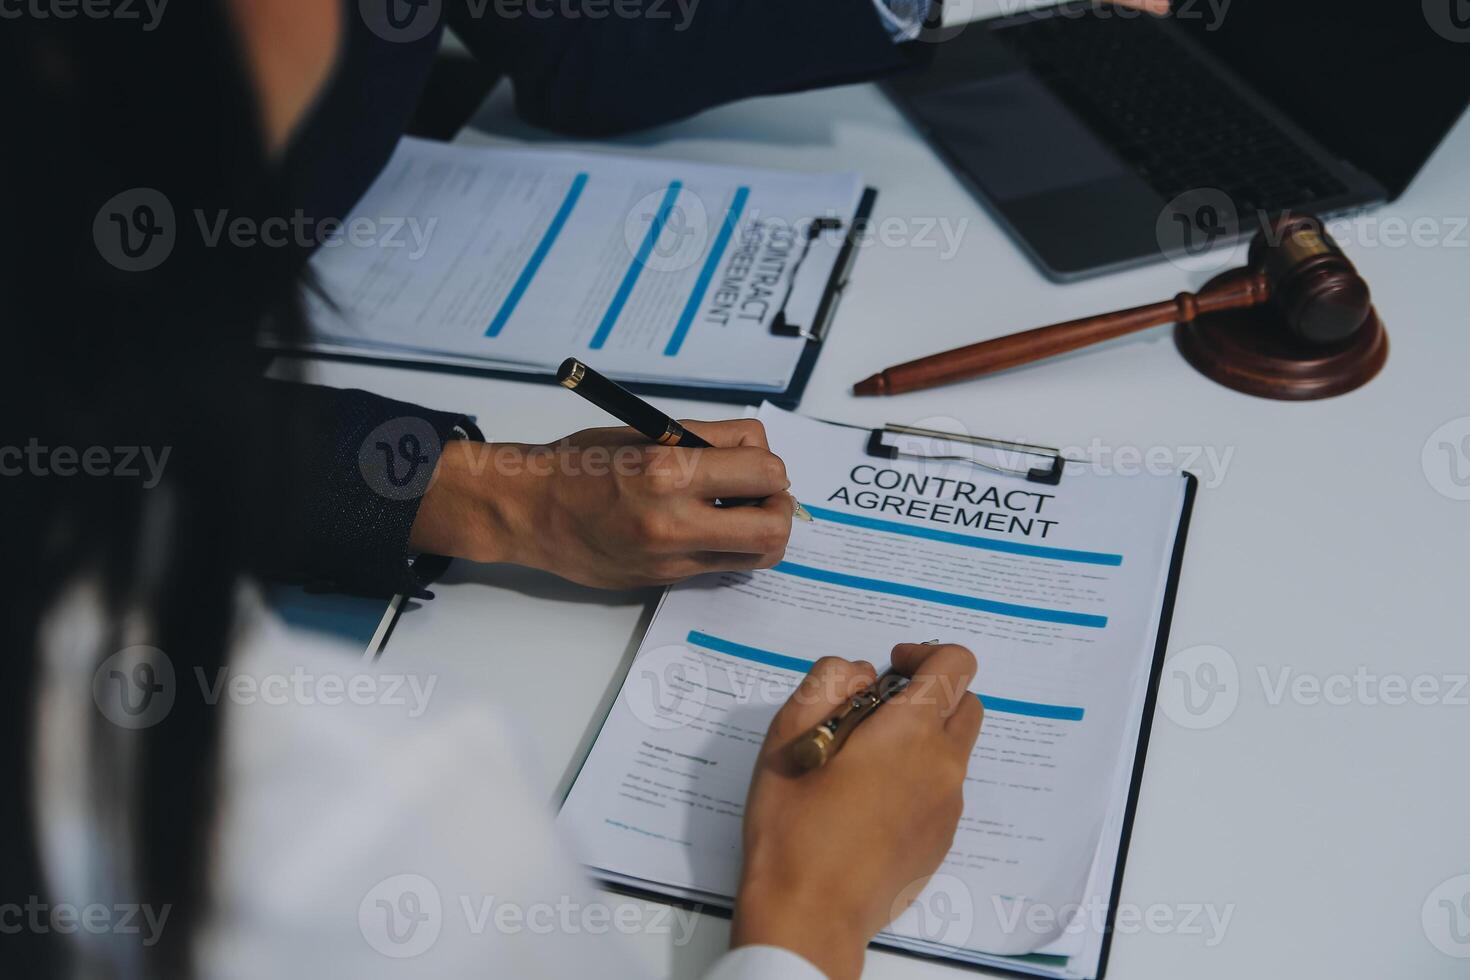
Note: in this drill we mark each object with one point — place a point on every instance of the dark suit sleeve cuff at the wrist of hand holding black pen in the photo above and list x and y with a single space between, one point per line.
358 471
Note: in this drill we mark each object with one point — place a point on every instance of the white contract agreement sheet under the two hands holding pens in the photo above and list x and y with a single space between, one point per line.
1064 594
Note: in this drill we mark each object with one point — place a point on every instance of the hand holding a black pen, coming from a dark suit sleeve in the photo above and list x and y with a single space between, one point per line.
608 509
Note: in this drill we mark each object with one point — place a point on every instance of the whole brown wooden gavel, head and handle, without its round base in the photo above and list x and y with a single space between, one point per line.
1319 300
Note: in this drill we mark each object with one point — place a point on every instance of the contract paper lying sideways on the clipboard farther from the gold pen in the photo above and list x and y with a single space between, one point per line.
650 270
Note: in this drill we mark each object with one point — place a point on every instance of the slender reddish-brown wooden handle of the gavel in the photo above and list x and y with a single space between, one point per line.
1047 342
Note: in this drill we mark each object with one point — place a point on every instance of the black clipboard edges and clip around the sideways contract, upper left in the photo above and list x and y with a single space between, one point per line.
815 334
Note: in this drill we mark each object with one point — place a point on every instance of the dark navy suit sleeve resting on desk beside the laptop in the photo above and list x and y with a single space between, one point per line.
600 76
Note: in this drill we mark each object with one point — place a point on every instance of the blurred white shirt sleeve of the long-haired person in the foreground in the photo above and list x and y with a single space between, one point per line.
404 838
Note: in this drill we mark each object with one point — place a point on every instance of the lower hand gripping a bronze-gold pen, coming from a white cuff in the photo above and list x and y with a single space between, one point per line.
836 854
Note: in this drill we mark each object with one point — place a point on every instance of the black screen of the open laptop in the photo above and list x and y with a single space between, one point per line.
1377 82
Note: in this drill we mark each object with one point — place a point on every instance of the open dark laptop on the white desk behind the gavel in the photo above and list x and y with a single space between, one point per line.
1105 137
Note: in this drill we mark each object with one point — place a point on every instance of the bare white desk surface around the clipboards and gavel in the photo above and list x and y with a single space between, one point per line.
1327 547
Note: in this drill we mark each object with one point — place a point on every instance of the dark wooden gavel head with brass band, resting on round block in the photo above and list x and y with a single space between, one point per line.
1318 292
